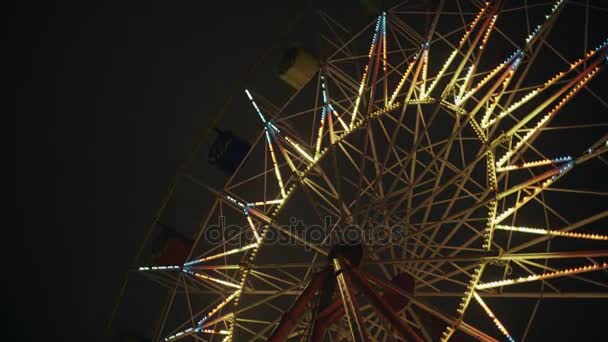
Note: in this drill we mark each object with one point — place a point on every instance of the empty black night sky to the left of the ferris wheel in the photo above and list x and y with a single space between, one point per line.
116 95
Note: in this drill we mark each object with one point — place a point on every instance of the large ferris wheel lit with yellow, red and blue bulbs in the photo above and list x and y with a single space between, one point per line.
413 191
